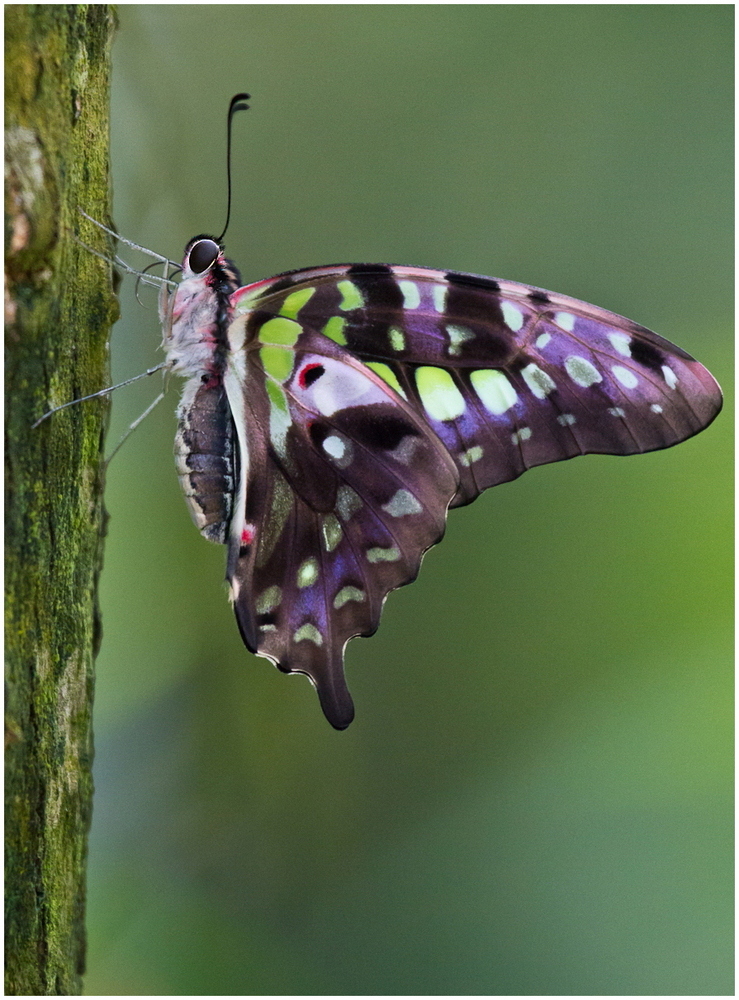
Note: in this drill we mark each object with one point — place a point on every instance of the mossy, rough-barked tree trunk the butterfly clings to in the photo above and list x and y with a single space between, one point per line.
58 309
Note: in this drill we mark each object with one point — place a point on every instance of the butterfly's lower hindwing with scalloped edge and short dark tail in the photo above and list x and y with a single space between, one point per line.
345 489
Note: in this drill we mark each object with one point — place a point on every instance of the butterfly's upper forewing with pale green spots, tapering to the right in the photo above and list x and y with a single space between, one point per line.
508 376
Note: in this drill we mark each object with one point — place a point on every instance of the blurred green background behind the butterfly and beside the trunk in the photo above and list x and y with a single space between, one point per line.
535 797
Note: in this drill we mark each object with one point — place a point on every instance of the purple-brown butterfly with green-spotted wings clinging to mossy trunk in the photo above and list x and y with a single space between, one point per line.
332 416
